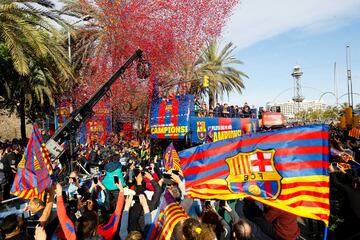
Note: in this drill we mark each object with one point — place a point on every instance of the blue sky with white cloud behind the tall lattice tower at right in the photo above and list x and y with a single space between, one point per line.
271 37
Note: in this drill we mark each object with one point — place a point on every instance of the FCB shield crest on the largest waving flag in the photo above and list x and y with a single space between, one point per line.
254 173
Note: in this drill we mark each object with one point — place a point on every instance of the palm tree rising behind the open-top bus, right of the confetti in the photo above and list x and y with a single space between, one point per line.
220 67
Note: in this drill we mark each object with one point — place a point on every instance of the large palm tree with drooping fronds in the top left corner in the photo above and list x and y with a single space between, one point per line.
36 54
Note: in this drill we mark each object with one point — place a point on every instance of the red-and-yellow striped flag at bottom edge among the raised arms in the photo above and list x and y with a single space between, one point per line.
169 213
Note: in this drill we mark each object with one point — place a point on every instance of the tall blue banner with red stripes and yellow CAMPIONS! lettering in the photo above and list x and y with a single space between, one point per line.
170 118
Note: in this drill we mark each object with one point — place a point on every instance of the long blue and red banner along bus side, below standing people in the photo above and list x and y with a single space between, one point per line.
218 129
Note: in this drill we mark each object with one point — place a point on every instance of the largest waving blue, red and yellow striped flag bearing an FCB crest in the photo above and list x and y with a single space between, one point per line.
286 169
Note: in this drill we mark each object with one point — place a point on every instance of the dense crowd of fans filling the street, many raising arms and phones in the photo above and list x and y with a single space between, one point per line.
116 190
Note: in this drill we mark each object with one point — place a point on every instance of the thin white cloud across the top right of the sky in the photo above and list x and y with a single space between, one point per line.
257 20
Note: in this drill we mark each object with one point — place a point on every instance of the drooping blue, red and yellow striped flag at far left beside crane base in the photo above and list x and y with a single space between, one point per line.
34 169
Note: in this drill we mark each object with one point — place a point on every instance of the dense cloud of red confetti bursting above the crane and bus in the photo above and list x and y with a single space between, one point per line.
168 31
